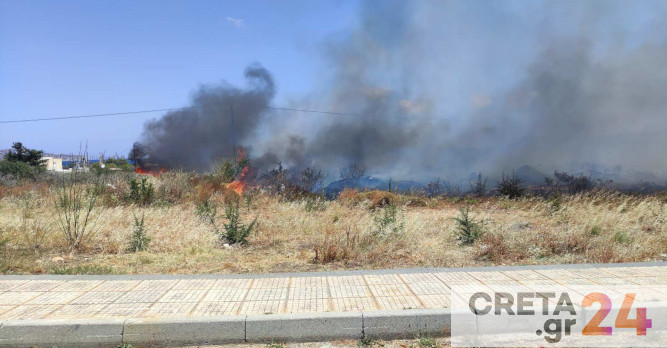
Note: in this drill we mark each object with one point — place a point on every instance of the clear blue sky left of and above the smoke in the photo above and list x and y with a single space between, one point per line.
61 58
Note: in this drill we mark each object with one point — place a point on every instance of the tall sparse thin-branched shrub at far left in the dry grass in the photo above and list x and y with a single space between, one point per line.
75 202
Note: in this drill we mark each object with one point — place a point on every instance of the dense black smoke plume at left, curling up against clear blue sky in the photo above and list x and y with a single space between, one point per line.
220 118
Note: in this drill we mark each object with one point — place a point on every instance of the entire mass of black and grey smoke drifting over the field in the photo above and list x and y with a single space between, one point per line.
447 88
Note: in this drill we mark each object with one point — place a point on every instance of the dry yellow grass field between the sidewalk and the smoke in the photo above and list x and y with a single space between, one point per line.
352 232
